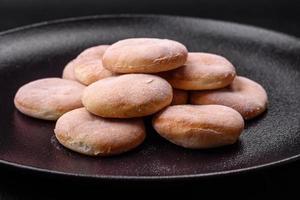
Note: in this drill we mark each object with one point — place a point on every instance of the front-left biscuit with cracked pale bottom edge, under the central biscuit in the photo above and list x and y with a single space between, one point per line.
92 135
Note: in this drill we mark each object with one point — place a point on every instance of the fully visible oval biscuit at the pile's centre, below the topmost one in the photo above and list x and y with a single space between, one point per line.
127 96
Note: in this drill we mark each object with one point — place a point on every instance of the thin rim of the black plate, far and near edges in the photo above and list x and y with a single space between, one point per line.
144 178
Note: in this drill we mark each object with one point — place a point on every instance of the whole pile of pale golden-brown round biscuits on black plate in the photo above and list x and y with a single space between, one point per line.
194 99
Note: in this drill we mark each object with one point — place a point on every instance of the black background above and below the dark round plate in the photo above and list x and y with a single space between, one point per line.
279 15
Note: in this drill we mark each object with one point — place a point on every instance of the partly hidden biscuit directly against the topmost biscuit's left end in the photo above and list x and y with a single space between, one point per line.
88 65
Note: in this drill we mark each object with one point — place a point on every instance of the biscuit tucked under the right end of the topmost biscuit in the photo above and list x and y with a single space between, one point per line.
202 71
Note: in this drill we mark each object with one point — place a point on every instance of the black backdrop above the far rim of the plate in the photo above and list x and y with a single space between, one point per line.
281 15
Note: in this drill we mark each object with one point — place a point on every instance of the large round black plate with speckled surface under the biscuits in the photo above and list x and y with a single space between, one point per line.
42 50
